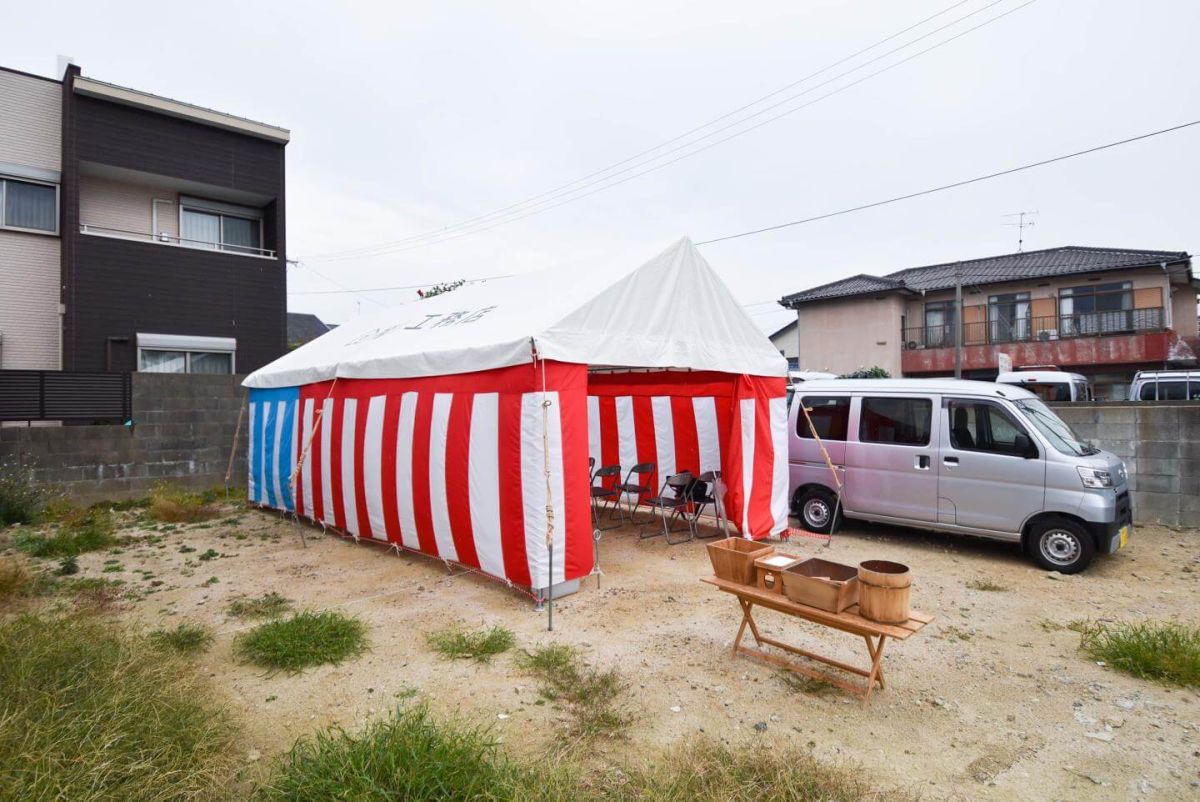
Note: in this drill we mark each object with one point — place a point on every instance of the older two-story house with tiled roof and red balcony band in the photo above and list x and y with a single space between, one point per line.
1103 313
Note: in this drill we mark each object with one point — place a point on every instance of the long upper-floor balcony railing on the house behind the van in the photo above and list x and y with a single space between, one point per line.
1037 330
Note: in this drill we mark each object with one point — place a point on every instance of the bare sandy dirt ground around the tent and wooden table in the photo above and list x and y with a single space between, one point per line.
991 702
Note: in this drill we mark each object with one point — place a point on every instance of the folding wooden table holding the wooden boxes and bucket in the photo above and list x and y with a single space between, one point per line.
873 633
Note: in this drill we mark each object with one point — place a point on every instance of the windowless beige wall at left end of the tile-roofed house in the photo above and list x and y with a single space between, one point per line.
841 337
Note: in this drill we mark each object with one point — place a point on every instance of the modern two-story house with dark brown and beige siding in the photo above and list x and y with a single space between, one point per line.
139 232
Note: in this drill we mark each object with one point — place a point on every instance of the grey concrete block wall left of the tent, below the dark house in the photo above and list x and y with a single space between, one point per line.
183 433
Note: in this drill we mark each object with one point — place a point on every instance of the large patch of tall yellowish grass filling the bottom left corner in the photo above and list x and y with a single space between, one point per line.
88 713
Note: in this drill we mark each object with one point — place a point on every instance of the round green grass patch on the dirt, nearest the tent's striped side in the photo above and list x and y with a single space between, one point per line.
303 641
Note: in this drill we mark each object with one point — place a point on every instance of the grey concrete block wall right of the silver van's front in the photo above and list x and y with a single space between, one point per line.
1161 447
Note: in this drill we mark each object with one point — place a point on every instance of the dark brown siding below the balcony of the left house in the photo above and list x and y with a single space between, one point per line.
131 288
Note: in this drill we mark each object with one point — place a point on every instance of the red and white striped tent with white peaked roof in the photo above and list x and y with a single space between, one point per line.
461 426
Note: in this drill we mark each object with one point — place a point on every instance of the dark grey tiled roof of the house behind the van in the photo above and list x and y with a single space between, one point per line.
995 270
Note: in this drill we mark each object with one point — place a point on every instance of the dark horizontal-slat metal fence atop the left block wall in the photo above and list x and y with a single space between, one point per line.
65 396
